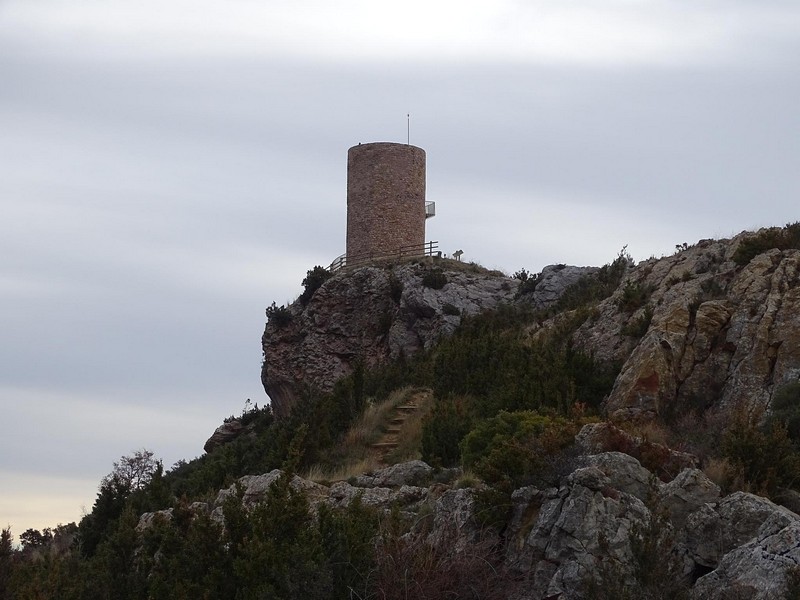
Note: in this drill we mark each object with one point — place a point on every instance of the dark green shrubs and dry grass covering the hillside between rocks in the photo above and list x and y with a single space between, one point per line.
501 400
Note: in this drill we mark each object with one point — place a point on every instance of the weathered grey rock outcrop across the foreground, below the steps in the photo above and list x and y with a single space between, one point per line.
610 529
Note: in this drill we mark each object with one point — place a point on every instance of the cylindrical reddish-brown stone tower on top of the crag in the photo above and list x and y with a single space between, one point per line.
385 200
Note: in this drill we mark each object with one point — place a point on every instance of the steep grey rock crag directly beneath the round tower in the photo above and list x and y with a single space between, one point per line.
371 314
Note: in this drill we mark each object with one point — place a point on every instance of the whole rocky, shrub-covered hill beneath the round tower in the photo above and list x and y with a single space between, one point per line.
628 431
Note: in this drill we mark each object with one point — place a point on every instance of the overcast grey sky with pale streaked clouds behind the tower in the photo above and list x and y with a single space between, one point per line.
169 168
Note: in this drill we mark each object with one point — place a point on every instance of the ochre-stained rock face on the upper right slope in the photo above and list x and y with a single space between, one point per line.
720 334
